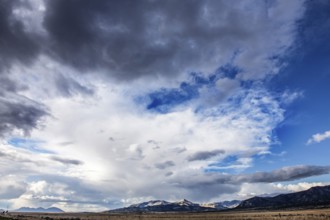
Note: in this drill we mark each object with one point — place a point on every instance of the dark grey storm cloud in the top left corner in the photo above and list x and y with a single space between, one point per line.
15 43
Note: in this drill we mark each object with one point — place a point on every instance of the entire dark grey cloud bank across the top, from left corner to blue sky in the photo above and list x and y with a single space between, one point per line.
157 39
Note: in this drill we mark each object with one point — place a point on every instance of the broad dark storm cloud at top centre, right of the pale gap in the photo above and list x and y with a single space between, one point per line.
134 38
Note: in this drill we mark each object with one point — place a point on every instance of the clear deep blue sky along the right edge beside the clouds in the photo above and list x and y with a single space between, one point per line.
308 72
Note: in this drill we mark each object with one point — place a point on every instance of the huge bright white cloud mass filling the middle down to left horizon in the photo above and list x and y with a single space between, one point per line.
120 143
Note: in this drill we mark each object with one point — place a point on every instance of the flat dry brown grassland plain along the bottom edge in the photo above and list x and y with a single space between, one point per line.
246 215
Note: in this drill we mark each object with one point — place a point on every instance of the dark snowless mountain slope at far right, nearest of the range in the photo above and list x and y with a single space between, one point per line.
313 197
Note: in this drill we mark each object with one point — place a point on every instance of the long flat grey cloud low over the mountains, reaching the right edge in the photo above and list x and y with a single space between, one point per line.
215 185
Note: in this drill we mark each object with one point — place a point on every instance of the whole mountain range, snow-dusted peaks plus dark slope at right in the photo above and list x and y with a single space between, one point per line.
315 197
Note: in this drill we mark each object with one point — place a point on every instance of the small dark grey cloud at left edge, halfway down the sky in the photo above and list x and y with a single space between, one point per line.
19 112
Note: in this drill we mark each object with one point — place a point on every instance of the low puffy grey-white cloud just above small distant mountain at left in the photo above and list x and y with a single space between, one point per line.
61 192
